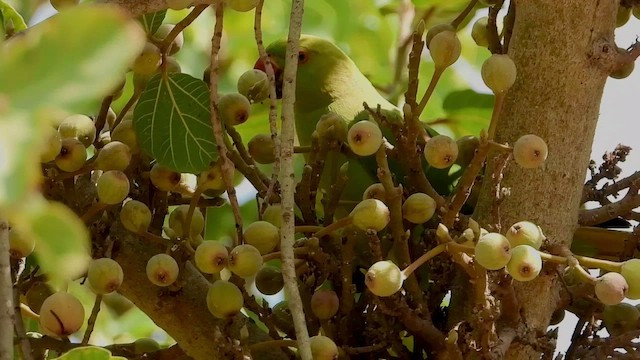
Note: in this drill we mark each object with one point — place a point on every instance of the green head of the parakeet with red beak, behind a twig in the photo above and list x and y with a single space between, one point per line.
320 63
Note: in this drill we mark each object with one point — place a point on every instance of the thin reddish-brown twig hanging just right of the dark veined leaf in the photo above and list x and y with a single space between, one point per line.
226 164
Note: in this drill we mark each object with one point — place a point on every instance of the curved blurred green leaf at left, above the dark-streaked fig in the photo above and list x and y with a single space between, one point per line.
62 239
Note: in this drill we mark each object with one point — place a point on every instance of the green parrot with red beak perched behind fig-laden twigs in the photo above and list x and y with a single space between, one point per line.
329 81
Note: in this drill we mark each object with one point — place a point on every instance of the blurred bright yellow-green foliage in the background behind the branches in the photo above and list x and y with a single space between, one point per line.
369 31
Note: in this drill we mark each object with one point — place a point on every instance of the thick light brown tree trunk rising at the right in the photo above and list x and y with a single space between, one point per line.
562 50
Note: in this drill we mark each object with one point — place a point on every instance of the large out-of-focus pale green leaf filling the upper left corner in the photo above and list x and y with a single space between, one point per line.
69 59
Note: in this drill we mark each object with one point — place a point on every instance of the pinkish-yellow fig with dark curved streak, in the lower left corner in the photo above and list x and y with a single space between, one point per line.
61 314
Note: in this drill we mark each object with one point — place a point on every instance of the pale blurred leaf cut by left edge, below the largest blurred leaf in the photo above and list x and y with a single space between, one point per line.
19 164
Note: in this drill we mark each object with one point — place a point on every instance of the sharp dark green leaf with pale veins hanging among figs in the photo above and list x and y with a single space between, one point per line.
172 121
